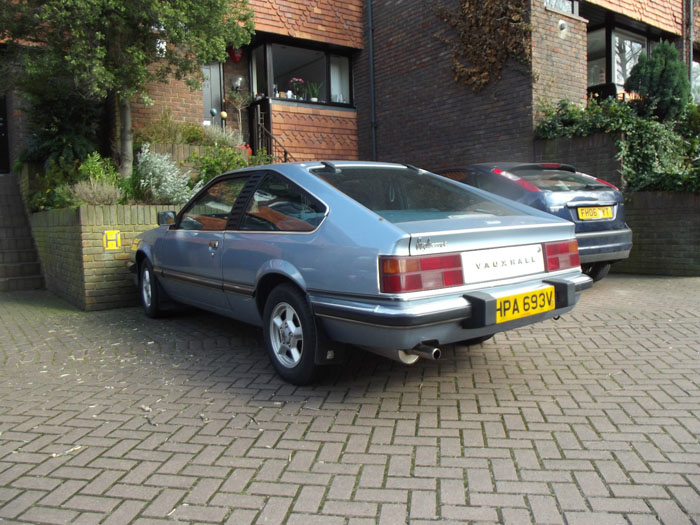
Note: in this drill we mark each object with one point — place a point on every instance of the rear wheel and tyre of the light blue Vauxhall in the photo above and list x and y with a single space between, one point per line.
290 335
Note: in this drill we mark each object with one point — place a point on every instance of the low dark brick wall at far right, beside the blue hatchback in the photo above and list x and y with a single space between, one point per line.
666 234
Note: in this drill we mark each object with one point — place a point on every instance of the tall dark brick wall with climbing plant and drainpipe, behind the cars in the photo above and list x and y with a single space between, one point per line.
423 116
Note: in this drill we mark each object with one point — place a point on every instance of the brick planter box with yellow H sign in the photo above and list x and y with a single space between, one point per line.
84 252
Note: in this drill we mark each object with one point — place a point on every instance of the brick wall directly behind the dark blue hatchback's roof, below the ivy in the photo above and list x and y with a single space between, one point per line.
594 155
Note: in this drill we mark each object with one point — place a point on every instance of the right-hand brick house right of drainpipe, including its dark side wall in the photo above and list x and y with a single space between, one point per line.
423 117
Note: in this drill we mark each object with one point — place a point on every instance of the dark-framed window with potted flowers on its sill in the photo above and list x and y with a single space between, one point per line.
306 75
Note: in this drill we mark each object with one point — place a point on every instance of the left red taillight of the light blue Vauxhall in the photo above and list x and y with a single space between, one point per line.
413 274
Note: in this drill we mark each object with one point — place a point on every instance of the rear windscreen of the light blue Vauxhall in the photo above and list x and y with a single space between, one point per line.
401 194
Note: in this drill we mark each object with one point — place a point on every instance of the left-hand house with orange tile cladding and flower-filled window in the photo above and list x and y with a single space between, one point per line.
311 40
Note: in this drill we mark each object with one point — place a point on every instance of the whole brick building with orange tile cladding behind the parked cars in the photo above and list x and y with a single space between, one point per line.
385 86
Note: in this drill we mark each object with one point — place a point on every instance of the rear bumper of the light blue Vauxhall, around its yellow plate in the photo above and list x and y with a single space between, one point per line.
402 325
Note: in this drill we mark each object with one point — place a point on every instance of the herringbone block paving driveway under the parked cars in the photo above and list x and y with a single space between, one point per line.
110 417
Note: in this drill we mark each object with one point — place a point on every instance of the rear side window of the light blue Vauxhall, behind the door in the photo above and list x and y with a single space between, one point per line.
280 205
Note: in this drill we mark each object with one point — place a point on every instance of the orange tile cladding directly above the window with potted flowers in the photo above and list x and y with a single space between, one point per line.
330 21
